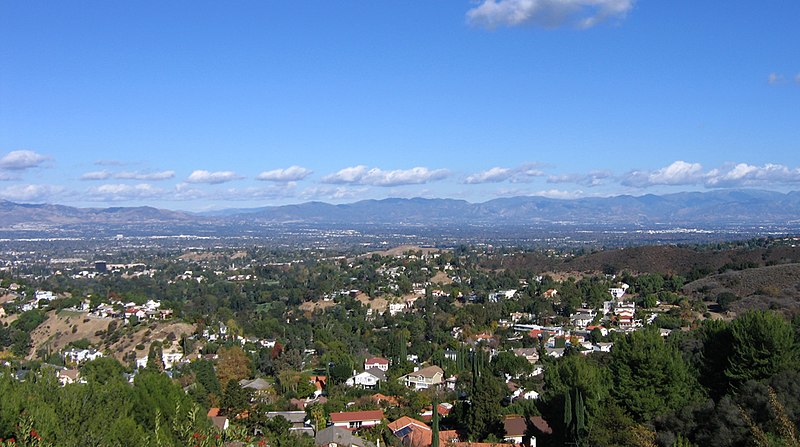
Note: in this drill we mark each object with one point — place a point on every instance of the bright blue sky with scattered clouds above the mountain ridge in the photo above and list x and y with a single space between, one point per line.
200 105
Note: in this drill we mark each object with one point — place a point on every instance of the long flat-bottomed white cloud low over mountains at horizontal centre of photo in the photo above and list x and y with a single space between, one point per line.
362 175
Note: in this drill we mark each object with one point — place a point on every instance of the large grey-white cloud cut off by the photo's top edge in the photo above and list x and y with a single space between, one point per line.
547 13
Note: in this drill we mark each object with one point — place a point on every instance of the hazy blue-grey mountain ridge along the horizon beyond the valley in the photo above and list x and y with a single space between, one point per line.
725 207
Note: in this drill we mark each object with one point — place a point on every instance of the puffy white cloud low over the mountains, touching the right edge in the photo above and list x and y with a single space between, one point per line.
743 174
